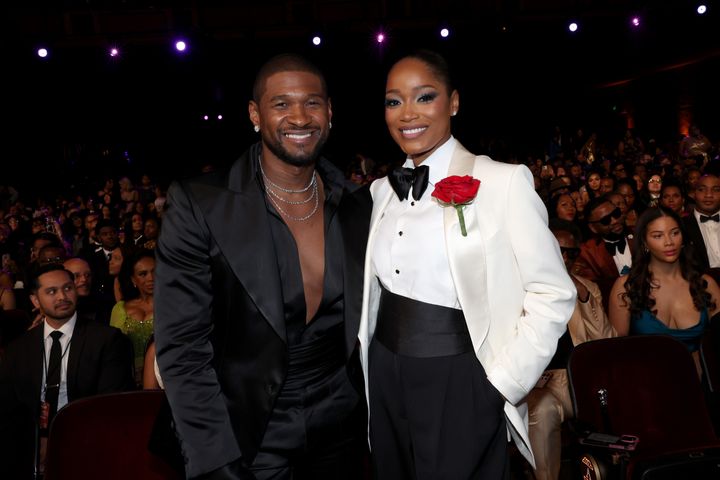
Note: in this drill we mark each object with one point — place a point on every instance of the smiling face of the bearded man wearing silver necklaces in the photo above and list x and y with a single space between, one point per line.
293 114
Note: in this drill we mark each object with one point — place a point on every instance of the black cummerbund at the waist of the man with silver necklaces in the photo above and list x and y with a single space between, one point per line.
316 360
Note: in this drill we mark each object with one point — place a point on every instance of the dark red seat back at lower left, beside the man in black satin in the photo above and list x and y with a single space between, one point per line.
107 437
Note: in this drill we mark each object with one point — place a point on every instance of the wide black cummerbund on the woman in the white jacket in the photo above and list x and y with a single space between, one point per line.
417 329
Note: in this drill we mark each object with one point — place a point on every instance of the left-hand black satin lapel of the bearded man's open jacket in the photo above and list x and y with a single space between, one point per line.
238 221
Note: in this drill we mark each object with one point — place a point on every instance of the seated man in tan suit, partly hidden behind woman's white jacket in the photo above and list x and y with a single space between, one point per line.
549 403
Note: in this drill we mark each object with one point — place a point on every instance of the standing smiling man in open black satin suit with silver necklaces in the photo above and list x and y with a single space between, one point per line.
258 296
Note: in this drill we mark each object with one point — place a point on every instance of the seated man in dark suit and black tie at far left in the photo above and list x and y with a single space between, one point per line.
94 359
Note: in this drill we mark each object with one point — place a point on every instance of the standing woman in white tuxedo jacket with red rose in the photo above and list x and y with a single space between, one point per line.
465 293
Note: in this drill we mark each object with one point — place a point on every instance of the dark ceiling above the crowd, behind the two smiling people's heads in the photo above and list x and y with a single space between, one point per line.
520 70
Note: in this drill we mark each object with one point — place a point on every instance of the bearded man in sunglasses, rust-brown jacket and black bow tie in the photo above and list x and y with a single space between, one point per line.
608 253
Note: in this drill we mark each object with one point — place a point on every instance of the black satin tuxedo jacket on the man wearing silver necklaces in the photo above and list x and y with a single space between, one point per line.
219 320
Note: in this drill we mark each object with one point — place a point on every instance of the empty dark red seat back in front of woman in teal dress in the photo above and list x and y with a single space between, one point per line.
652 391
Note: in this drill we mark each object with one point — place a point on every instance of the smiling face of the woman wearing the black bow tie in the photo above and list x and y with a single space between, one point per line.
418 107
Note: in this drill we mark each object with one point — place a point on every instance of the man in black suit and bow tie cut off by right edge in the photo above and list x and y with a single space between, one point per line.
703 224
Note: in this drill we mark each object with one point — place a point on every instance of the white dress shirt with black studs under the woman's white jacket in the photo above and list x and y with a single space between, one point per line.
409 255
